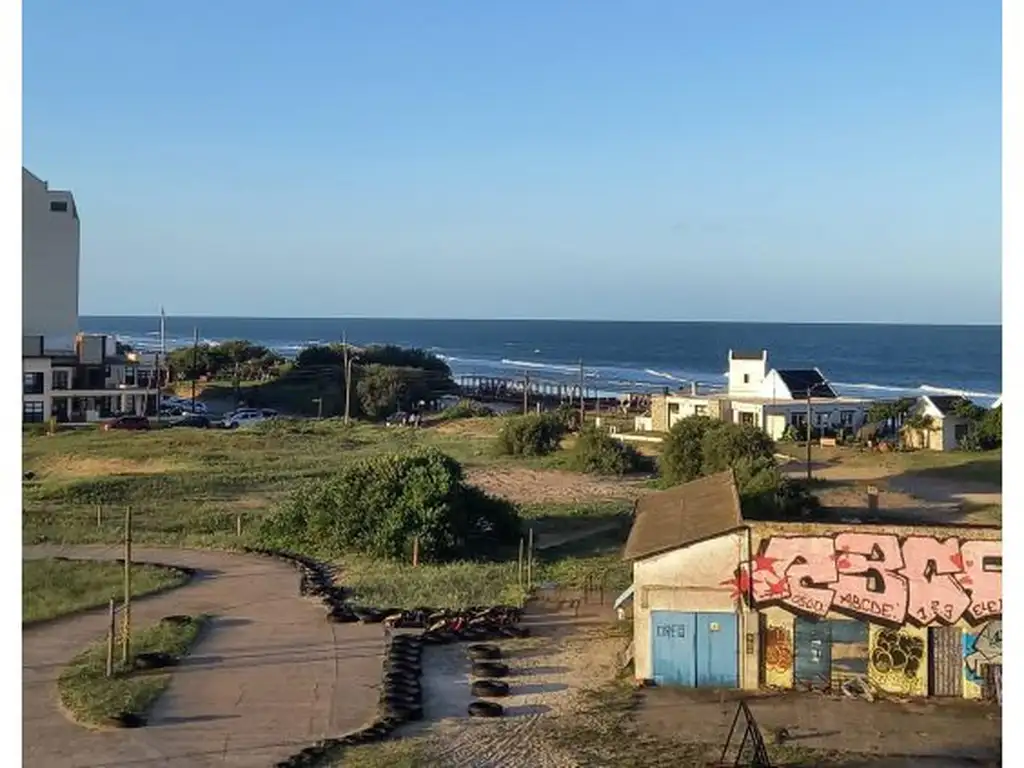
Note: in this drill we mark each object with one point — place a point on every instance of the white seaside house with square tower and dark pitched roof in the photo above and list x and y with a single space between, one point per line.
770 399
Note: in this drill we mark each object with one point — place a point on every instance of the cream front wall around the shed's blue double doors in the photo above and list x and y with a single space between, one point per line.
694 579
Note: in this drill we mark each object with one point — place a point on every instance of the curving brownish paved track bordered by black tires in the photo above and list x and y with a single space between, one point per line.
270 676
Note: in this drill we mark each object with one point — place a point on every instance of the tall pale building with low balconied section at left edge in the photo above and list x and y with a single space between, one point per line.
67 376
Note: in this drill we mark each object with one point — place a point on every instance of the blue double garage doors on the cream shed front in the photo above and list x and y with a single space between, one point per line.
695 650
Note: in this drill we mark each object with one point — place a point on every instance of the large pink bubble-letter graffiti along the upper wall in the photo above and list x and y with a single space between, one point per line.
879 578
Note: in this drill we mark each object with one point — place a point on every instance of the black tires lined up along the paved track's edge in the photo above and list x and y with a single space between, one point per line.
402 690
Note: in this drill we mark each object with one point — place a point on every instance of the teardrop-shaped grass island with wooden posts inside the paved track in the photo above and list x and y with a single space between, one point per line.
94 699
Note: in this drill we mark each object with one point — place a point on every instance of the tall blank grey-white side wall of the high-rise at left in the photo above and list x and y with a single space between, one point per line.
51 249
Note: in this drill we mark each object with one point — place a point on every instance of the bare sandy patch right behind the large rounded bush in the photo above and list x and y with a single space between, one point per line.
539 487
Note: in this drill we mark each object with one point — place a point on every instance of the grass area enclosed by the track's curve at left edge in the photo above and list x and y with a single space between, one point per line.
54 588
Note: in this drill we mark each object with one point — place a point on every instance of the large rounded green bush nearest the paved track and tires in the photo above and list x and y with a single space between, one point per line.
378 505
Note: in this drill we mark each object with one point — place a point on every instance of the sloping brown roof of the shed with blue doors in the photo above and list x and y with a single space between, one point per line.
684 516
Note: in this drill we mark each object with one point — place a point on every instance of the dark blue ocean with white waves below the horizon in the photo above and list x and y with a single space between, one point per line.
867 361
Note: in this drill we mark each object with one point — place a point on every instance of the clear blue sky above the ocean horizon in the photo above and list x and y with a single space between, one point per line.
797 160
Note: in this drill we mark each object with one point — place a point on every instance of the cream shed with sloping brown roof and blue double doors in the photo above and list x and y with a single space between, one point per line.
691 625
